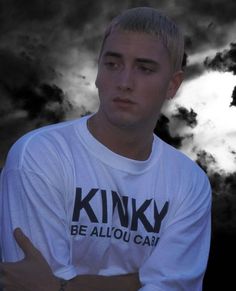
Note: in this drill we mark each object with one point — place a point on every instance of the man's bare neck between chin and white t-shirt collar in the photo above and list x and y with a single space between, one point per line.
130 143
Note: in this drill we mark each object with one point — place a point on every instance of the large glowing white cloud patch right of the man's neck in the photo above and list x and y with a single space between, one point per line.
210 96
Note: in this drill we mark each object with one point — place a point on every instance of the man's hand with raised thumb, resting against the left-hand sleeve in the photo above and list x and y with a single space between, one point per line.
30 274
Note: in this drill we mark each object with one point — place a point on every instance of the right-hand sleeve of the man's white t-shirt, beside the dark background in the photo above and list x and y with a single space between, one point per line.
179 261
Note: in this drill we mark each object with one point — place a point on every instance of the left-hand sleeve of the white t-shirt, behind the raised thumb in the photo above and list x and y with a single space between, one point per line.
31 202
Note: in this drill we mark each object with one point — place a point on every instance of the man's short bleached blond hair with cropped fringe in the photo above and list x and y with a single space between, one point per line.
151 21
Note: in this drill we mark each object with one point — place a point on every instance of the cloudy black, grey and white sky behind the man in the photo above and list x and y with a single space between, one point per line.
48 61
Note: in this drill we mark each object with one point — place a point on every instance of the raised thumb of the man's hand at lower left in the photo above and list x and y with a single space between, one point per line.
25 243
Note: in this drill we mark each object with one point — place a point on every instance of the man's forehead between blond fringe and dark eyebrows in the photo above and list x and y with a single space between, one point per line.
135 45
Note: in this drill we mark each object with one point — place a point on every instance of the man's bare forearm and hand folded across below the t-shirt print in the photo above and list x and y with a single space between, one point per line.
34 272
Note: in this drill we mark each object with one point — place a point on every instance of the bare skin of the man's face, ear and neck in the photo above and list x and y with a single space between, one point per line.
134 79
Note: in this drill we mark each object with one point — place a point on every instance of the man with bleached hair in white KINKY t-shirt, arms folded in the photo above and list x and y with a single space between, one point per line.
105 202
